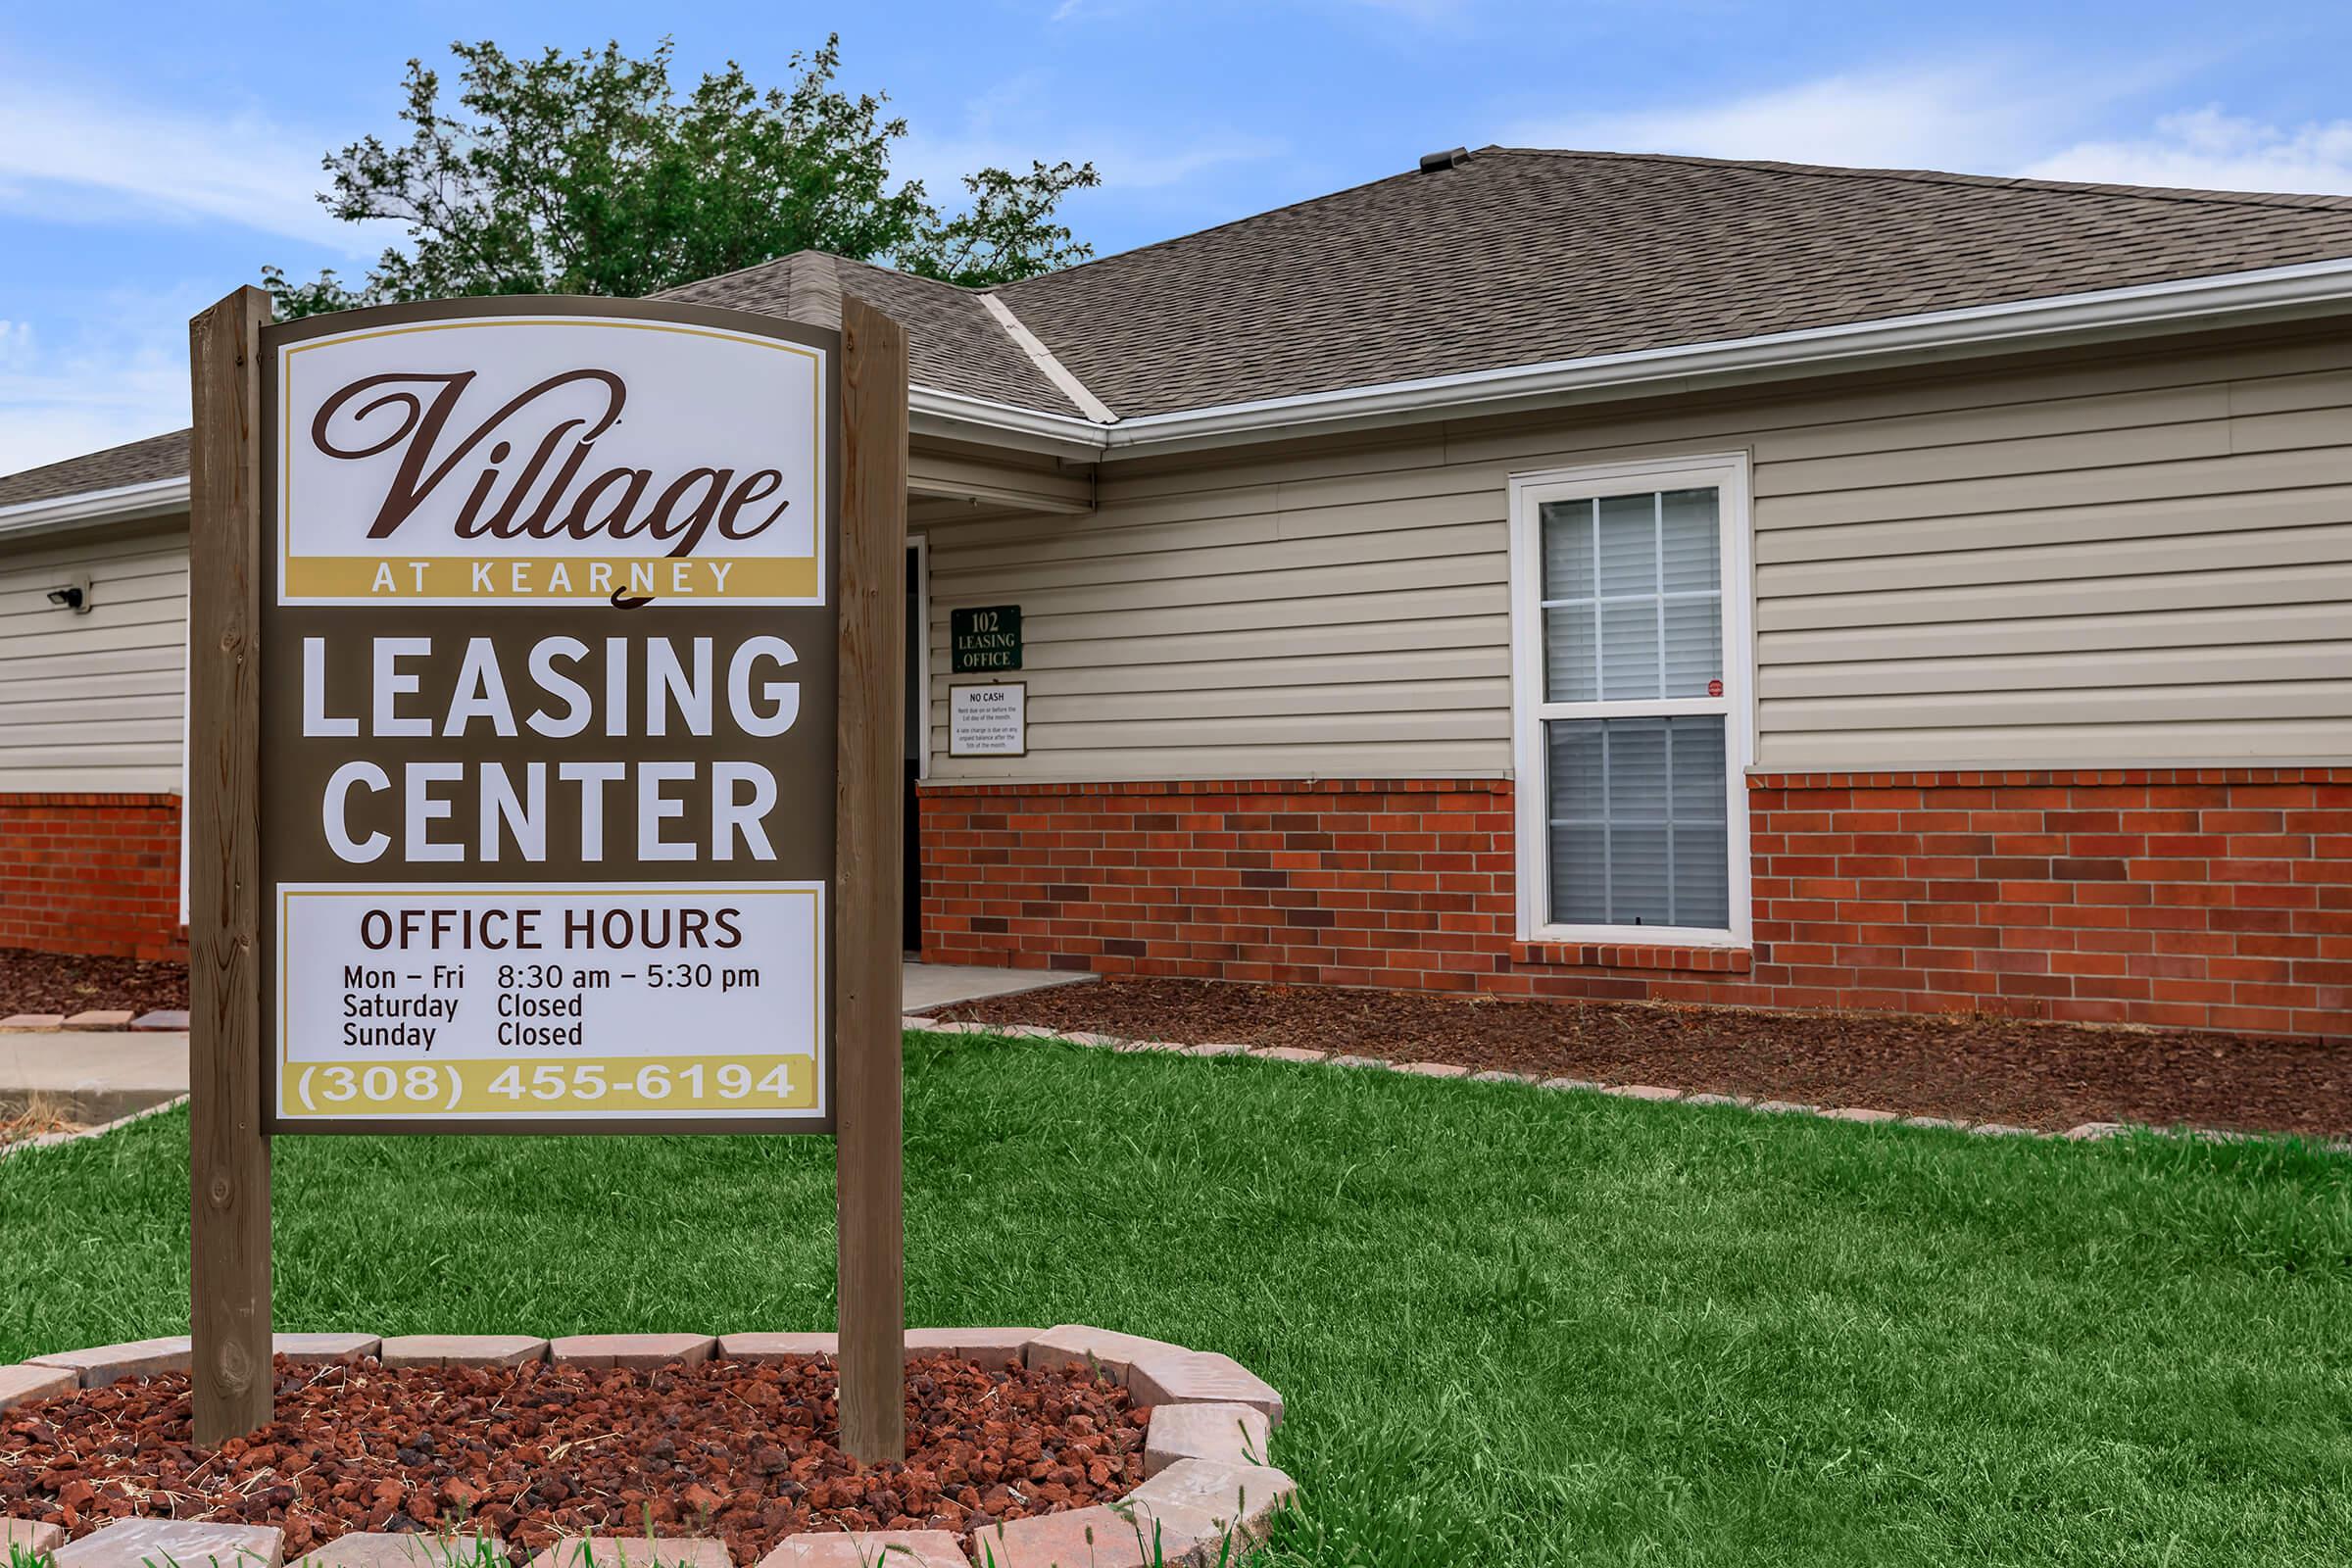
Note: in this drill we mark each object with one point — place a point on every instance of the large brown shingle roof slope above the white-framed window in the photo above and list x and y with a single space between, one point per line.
1523 257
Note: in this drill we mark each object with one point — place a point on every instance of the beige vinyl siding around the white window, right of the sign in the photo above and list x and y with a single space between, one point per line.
2069 561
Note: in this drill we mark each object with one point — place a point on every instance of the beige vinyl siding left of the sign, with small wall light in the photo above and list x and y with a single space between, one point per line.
95 702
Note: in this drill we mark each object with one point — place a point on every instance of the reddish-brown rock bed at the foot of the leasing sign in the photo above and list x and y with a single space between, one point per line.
528 1454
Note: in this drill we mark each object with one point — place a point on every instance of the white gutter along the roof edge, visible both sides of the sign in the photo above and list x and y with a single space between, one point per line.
2231 300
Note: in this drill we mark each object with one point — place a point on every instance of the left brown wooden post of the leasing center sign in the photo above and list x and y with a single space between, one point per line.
229 1285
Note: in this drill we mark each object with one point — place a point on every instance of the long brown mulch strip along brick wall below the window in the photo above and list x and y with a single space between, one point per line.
2043 1076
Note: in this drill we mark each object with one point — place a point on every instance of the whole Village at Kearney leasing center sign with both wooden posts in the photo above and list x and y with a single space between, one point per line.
554 779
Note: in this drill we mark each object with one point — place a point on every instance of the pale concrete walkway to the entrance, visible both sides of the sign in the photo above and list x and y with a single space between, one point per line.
98 1076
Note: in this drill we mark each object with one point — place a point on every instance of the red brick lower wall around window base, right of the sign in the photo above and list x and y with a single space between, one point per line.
2186 897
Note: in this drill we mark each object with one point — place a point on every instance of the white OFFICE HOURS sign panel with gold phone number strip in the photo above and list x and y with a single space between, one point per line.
490 1003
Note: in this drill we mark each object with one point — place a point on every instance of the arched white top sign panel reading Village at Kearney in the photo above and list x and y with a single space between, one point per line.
544 460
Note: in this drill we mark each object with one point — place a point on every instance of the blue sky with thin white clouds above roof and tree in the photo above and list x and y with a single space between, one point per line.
154 156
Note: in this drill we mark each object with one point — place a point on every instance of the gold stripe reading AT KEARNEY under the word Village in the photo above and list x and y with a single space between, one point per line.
547 577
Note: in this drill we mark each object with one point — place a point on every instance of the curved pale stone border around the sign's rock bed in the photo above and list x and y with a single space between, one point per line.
1210 1489
